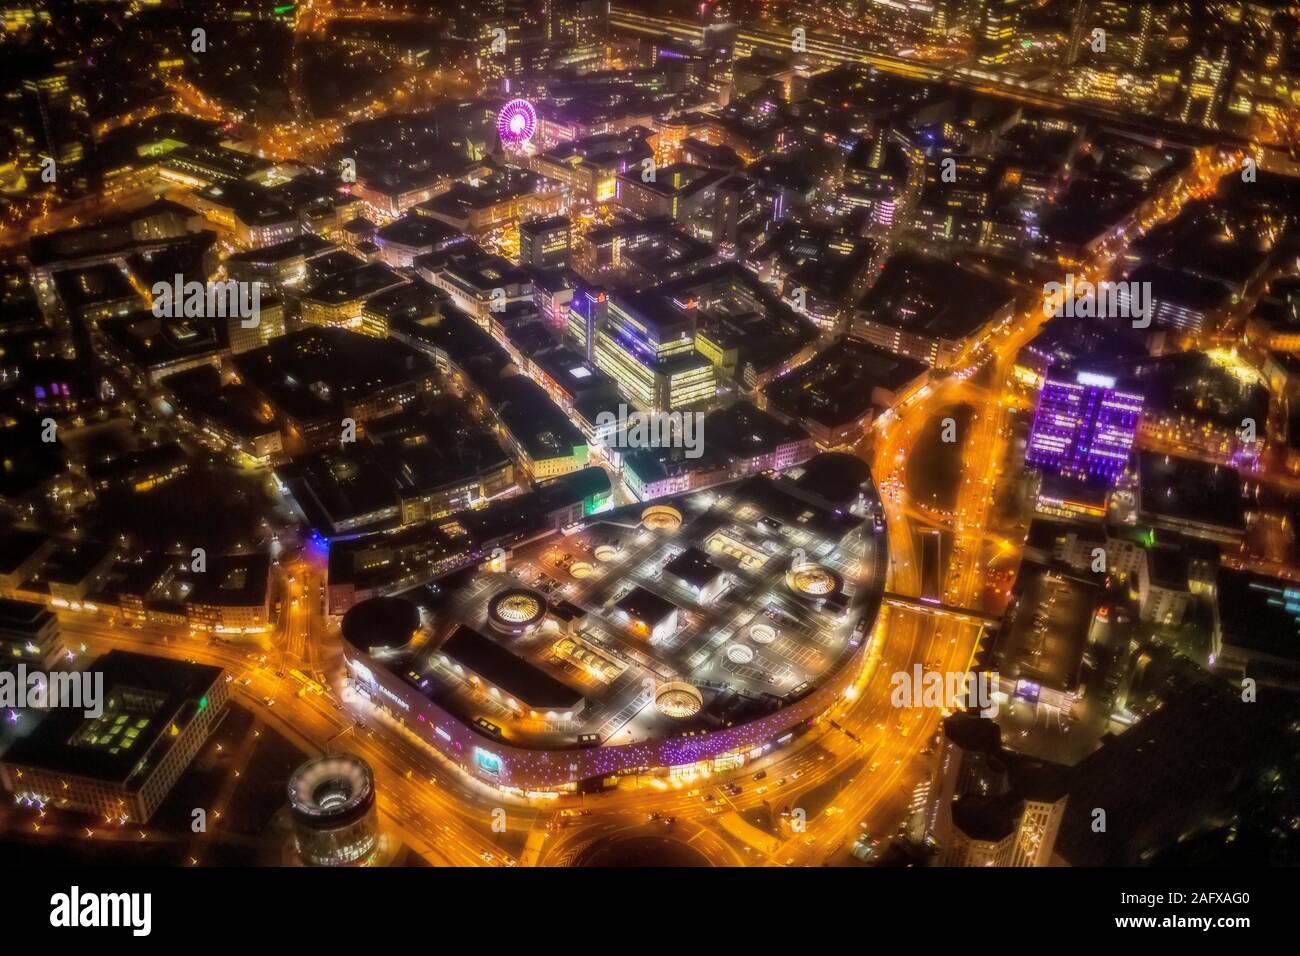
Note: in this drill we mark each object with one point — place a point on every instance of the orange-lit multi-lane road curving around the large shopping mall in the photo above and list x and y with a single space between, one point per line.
866 754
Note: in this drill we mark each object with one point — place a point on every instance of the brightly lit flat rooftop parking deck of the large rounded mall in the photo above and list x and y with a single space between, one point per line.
753 647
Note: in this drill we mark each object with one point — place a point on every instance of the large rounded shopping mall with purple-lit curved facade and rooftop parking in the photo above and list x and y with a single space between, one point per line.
696 630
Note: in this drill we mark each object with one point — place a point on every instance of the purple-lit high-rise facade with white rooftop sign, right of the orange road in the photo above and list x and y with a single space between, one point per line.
1084 427
